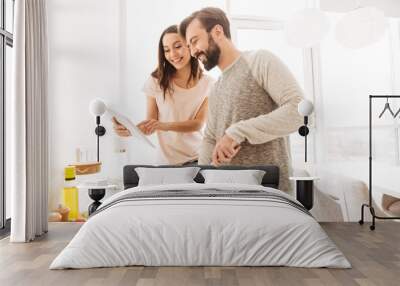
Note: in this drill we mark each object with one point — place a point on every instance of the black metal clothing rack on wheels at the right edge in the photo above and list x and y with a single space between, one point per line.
369 205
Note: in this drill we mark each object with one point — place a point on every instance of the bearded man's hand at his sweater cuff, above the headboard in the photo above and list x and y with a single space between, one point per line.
224 151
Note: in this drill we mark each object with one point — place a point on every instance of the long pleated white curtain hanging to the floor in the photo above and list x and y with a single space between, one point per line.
29 148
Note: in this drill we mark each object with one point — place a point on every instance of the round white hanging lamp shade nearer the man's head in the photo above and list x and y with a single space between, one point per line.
306 28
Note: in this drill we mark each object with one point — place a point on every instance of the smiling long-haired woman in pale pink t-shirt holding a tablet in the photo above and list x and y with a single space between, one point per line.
176 94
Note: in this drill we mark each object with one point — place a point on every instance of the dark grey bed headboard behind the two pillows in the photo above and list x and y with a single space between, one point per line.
270 179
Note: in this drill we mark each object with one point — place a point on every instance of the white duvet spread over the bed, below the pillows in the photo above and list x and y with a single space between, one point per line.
206 231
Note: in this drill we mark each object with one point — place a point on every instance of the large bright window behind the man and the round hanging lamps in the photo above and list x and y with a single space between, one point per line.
336 79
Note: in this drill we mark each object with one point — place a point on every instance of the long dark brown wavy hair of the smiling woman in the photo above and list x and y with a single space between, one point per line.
165 71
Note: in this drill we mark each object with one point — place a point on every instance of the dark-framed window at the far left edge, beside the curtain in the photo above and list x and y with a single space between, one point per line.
6 44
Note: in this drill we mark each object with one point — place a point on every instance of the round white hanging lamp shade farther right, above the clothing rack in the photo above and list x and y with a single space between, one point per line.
361 27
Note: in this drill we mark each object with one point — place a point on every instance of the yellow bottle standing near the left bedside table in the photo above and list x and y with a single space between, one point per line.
70 193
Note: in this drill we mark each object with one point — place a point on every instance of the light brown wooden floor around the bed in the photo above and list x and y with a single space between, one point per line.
374 255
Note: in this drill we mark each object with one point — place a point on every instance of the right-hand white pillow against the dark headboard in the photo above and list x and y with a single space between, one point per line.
248 177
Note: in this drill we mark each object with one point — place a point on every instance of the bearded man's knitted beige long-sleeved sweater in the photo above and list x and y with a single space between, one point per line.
255 102
